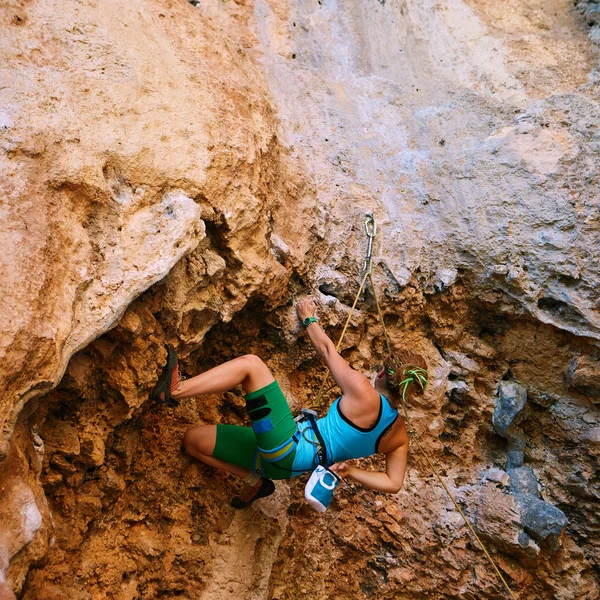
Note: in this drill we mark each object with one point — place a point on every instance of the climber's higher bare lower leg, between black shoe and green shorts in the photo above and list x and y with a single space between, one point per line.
249 371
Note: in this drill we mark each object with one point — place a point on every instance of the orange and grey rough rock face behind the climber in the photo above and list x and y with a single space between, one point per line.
180 173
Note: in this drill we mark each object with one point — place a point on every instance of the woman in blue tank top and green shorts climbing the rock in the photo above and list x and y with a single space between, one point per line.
363 421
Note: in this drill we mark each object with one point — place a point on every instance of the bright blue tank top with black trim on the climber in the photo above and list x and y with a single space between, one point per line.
343 439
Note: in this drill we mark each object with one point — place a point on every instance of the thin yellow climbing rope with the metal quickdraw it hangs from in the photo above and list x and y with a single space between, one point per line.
371 230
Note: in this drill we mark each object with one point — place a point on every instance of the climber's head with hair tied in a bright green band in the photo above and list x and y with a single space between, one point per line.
403 376
